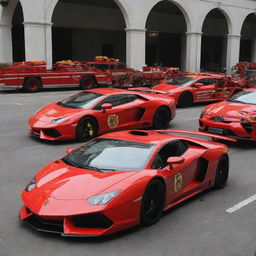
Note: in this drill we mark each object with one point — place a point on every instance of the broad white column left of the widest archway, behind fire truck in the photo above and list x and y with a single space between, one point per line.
38 41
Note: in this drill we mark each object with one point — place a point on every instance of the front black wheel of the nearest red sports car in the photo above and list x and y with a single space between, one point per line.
152 203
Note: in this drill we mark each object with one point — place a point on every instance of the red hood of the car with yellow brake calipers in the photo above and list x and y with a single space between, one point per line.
53 111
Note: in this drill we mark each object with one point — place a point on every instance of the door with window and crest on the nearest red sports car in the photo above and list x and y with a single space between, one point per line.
183 178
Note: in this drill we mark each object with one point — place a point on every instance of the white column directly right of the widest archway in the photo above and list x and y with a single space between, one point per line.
135 47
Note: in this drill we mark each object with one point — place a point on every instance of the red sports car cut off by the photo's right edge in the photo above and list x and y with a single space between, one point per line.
234 117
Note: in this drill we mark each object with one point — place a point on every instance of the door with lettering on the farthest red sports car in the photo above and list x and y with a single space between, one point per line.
206 91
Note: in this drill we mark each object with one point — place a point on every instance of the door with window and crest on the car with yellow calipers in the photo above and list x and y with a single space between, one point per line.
125 112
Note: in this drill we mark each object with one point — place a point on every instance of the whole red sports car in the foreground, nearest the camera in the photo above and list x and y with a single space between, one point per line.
122 179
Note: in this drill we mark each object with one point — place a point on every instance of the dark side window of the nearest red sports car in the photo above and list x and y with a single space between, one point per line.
174 148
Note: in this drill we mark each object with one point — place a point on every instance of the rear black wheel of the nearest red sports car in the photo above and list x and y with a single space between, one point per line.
222 170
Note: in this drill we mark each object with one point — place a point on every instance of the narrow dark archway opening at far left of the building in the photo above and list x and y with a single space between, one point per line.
18 43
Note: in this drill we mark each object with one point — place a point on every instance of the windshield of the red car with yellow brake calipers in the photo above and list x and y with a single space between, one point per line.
83 100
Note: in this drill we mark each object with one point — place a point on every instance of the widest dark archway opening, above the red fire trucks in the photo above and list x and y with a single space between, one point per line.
90 28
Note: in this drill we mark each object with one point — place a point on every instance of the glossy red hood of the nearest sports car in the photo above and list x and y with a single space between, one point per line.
60 181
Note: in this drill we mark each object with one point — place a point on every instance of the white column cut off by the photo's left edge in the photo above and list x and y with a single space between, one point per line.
6 43
